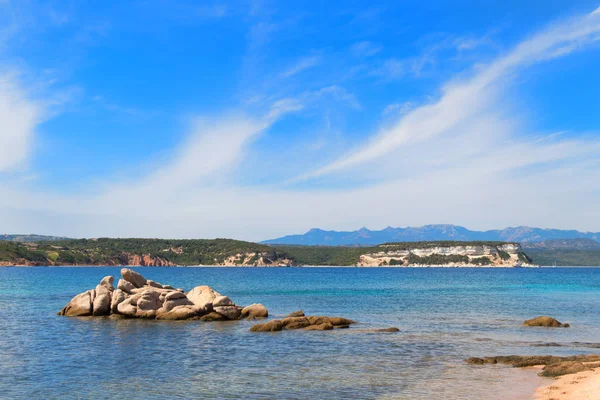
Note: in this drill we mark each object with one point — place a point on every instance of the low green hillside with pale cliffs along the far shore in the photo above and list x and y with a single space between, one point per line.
160 252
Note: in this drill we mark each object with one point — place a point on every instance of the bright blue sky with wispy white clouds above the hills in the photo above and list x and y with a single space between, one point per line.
255 119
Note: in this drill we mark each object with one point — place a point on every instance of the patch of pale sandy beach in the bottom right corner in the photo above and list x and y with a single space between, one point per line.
580 386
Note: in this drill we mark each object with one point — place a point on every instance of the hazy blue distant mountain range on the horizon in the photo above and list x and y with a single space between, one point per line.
366 237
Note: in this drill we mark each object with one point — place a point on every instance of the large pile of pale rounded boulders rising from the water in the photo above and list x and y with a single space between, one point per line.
137 297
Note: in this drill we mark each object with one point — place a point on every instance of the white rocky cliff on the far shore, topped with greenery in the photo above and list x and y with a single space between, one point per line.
464 255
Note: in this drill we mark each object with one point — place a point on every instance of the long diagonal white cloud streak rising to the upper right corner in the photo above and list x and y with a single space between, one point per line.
461 101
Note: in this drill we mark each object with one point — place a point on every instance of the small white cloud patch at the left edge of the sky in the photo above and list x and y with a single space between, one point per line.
18 118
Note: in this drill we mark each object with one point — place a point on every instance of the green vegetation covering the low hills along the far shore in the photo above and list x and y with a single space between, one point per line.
107 251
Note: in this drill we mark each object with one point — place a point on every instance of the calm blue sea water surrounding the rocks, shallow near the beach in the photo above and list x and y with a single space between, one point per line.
444 315
